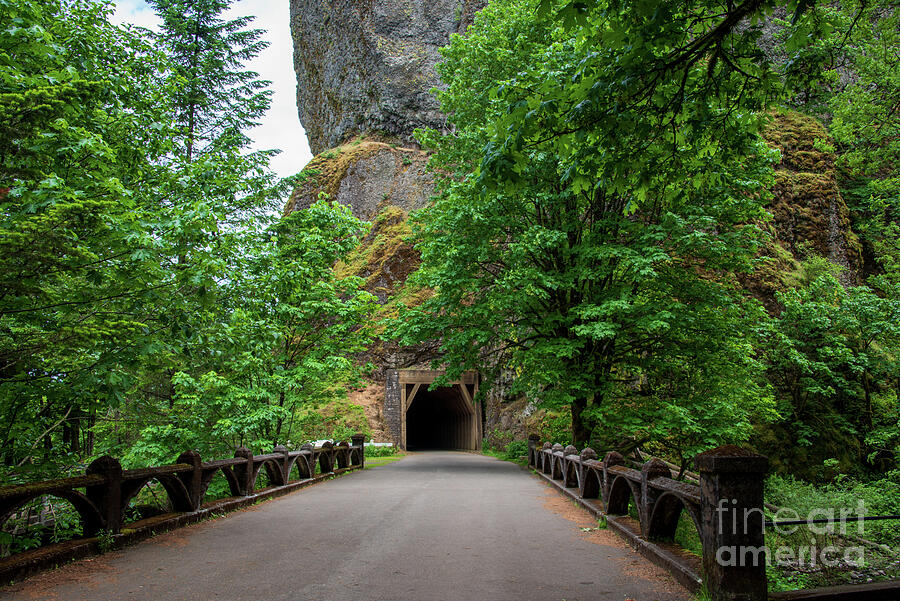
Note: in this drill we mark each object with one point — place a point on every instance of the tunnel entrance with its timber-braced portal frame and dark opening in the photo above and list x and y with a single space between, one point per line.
443 418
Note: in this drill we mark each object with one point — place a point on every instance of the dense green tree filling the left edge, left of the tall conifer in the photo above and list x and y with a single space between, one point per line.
82 129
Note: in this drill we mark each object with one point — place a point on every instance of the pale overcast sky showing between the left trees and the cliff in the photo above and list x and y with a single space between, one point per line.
280 126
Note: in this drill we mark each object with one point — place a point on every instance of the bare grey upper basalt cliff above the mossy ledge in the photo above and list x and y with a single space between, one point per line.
367 66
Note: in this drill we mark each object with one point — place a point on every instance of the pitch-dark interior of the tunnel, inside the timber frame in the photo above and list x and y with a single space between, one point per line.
440 419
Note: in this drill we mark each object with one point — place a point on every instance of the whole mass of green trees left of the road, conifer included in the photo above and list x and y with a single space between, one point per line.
148 304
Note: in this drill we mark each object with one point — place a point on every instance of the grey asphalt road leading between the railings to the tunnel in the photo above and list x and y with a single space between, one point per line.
433 526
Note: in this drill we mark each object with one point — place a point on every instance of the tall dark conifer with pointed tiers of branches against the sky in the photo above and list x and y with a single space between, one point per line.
220 196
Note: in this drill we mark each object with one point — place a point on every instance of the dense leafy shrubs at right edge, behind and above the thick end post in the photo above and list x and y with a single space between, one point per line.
833 357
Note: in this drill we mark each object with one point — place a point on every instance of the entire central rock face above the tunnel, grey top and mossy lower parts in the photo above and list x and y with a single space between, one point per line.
365 71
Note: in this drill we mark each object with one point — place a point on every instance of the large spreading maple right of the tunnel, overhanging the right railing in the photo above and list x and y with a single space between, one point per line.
596 203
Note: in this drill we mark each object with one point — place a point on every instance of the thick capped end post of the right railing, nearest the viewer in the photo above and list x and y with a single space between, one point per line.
732 523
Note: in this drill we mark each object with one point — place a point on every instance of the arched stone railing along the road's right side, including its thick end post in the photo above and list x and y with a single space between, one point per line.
730 492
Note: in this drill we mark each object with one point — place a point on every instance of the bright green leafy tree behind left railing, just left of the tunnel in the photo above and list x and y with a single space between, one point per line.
285 344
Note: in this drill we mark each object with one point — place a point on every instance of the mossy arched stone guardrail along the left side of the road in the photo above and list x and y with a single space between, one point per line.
102 495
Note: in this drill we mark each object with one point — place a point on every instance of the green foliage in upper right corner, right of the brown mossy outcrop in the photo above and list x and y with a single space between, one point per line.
848 76
